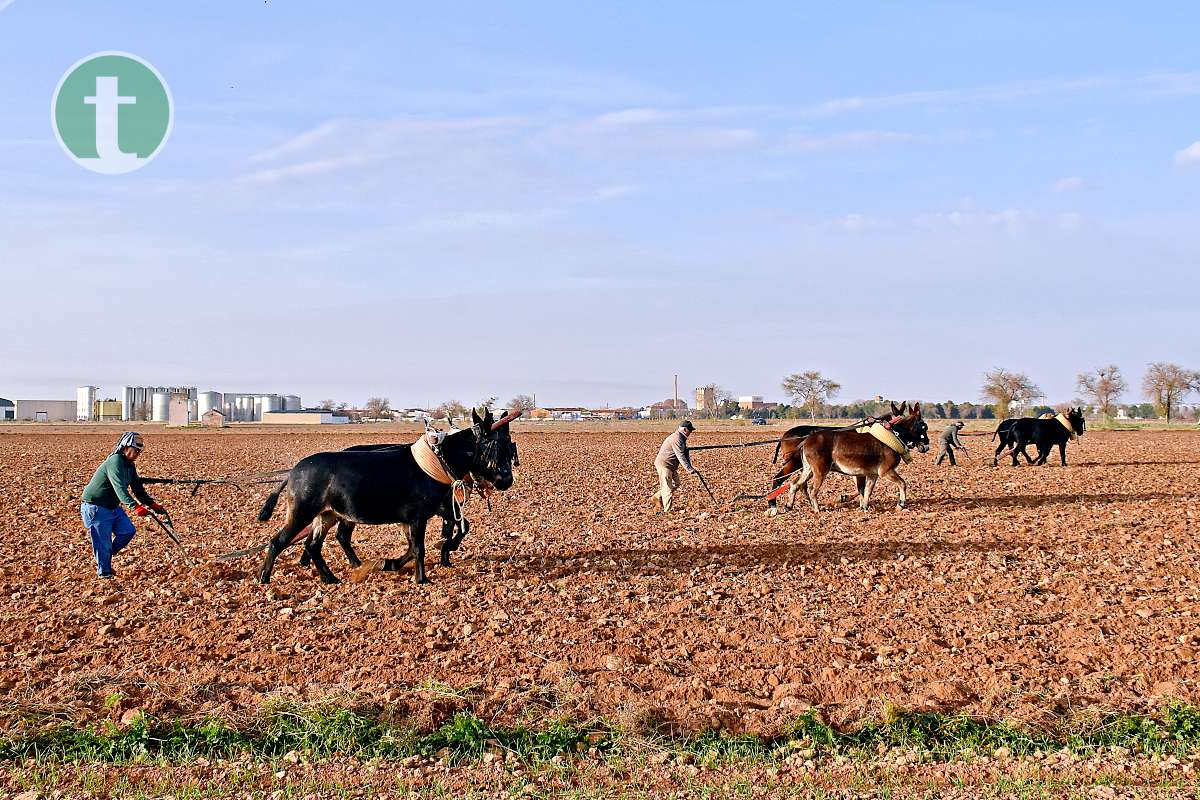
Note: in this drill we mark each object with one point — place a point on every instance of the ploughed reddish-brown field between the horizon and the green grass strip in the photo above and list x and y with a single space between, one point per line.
1010 593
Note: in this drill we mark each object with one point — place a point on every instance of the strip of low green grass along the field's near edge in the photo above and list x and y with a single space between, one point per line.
326 732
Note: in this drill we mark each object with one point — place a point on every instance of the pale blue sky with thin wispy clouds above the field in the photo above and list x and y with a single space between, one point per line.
458 201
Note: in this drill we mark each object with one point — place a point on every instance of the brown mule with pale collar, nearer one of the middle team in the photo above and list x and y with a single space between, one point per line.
860 455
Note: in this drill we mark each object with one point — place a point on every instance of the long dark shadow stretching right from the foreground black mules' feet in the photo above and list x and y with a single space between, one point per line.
686 558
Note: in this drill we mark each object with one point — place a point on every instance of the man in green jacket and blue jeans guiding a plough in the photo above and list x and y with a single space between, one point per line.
109 490
